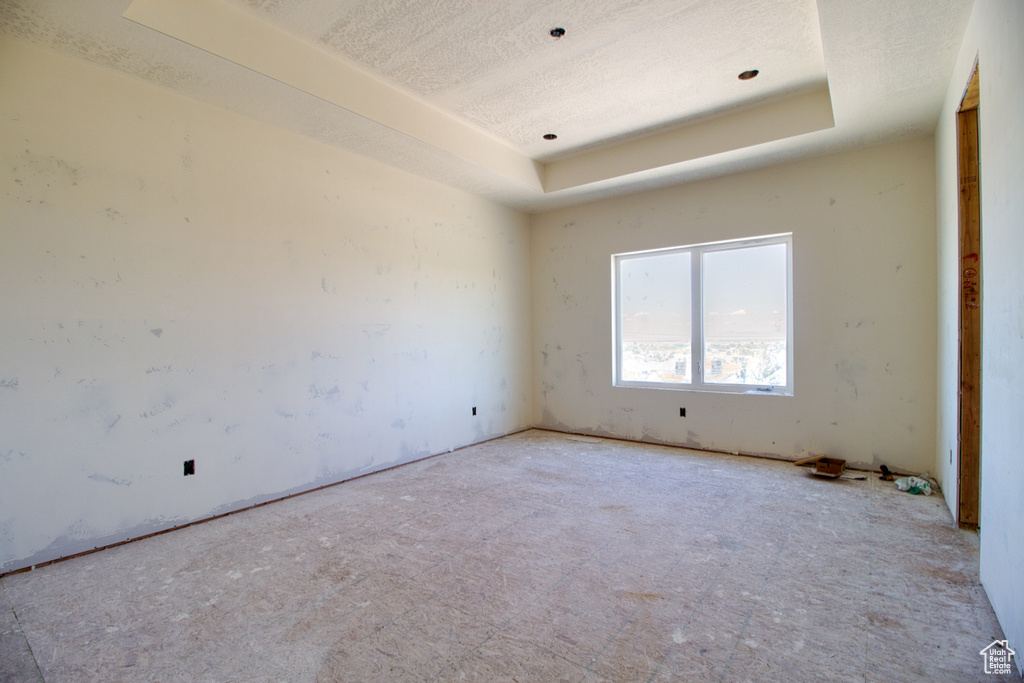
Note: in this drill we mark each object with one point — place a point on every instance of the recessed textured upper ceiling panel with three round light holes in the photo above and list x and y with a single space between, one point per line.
621 67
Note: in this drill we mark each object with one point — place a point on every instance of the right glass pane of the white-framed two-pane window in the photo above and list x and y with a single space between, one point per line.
745 322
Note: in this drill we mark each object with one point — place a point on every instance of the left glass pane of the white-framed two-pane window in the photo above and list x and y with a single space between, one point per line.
655 300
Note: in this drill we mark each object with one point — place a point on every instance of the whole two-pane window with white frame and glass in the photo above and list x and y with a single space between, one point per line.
714 317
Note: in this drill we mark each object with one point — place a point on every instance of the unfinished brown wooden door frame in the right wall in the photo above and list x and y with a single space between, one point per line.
969 367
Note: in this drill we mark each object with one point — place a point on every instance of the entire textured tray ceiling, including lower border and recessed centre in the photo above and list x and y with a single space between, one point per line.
643 94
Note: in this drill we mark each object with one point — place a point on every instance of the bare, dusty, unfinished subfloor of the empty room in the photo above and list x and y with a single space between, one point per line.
533 558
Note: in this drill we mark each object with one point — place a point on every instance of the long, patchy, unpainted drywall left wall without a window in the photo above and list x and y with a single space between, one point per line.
184 284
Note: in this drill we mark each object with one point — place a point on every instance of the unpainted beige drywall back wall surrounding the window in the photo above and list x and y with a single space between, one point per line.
864 239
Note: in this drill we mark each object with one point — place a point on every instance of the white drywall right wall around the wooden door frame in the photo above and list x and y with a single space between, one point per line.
994 38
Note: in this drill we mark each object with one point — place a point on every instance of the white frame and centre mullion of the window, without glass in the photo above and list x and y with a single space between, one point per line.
697 314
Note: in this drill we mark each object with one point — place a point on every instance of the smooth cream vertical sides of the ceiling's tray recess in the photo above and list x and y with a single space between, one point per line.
244 39
